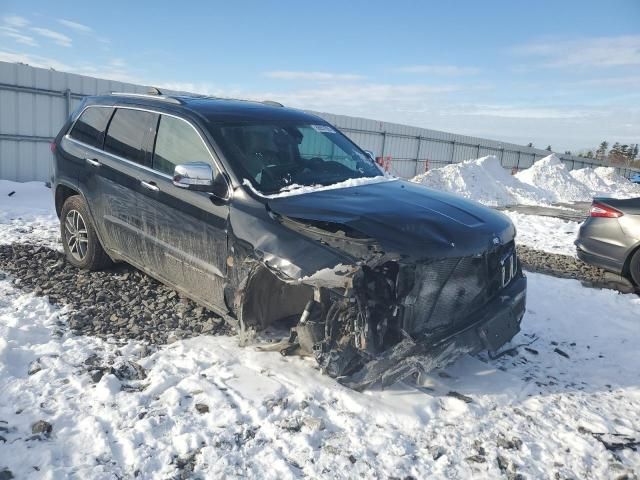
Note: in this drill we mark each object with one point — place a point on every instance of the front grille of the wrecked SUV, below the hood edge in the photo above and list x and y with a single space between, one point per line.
446 292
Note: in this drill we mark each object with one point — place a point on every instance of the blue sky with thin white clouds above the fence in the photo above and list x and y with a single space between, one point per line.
565 73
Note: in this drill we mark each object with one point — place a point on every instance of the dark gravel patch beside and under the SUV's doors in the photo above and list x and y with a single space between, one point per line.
120 303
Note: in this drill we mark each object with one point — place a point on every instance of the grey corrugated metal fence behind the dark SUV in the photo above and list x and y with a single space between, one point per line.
35 102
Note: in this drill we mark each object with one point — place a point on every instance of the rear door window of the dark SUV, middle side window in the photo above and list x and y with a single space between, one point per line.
130 133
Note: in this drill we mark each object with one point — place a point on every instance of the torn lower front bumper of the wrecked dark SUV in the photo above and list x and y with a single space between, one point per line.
491 327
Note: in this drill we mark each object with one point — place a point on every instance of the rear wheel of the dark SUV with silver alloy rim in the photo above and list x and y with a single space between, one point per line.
79 238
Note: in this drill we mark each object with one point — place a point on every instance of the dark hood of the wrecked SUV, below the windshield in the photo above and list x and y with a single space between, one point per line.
404 217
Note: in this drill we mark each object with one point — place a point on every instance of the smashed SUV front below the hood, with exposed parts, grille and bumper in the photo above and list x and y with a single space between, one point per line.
387 316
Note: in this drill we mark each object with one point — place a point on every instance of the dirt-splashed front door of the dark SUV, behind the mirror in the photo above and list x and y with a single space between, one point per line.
185 230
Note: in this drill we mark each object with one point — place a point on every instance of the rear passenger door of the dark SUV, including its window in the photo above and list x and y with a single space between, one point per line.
113 180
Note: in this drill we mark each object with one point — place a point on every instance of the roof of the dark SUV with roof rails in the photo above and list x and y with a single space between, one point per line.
213 109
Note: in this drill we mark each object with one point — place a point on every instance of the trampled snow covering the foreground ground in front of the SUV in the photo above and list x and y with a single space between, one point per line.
278 417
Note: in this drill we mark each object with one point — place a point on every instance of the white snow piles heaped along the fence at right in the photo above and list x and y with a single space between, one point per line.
546 182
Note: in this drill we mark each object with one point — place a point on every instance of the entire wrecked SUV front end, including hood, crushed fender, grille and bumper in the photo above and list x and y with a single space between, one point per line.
380 281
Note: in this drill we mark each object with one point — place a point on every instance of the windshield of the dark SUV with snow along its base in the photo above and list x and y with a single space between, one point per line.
283 156
